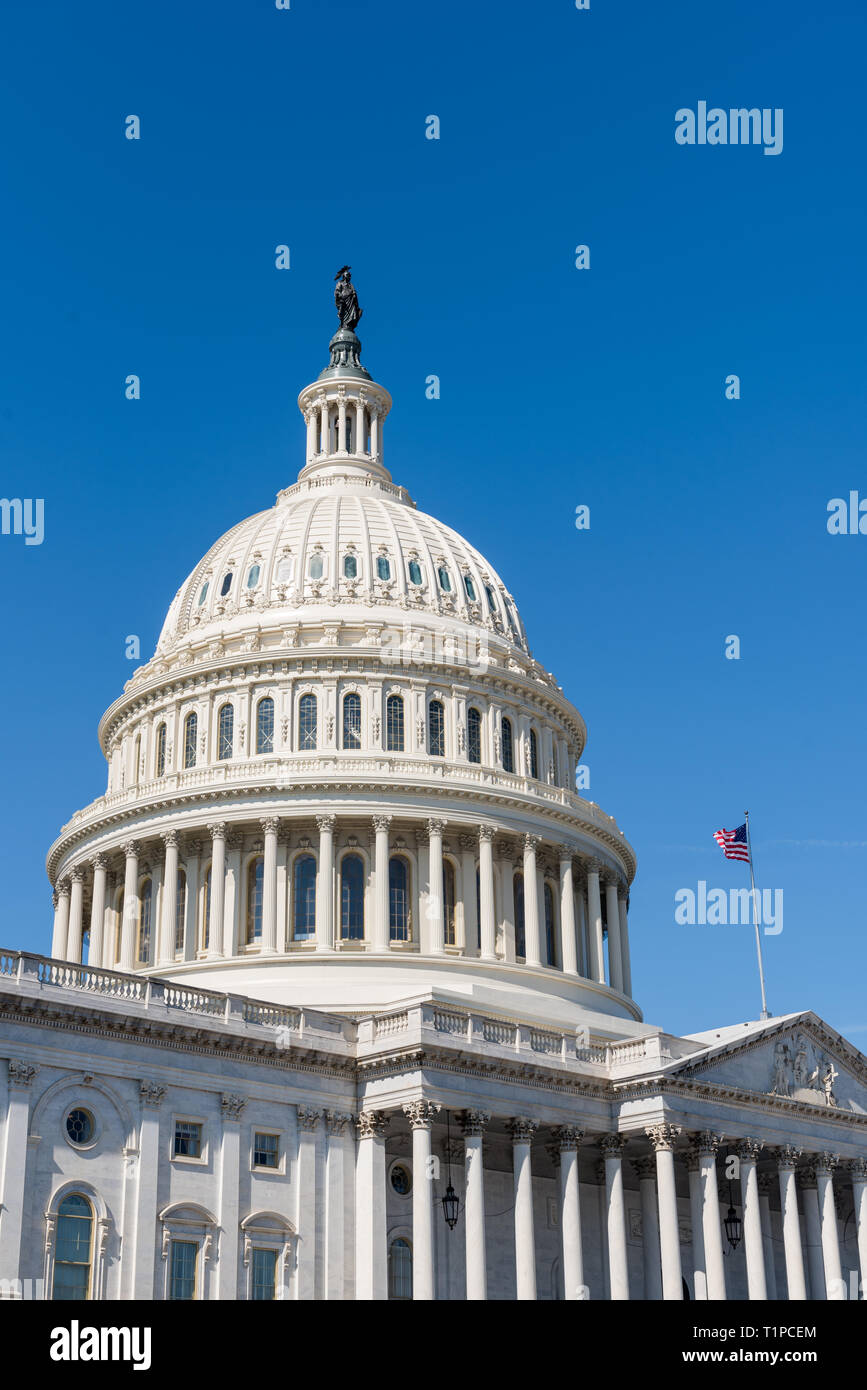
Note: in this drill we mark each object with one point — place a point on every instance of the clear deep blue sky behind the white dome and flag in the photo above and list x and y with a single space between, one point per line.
559 387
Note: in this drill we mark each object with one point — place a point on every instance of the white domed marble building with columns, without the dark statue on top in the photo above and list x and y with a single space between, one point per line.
341 933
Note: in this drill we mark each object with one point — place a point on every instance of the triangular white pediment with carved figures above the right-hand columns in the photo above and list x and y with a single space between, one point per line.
801 1061
